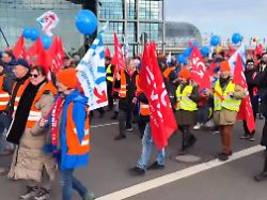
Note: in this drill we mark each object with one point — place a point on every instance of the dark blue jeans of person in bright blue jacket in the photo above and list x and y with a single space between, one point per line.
69 182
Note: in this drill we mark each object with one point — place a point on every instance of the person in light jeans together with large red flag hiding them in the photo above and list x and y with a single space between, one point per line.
155 103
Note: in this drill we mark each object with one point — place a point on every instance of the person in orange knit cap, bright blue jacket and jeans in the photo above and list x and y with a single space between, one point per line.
74 134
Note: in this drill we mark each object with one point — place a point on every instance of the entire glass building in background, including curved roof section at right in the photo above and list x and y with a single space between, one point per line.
135 20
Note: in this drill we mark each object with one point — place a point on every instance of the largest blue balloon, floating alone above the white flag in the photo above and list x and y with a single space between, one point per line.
86 22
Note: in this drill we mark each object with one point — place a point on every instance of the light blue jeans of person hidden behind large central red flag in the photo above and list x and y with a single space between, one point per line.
148 145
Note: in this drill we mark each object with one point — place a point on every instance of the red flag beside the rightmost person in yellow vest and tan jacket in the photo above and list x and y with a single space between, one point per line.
245 111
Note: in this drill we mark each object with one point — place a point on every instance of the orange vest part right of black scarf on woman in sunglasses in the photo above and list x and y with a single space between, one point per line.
35 114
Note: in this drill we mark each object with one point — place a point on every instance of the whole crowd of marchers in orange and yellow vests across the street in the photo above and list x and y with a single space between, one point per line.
39 128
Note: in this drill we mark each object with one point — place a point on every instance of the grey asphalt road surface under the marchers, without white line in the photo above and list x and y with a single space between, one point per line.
111 160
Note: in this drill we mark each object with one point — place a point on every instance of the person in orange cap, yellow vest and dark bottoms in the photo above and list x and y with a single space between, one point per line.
186 108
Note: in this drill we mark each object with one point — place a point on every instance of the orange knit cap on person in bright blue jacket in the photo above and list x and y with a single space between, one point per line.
68 78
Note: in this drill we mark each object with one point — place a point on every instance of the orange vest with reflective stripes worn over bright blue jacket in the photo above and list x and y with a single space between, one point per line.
75 147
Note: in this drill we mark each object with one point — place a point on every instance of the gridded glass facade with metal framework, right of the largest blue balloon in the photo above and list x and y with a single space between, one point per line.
136 20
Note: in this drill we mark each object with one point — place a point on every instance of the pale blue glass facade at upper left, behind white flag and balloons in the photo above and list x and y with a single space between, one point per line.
17 14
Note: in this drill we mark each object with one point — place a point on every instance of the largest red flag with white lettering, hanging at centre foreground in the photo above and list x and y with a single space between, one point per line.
162 119
